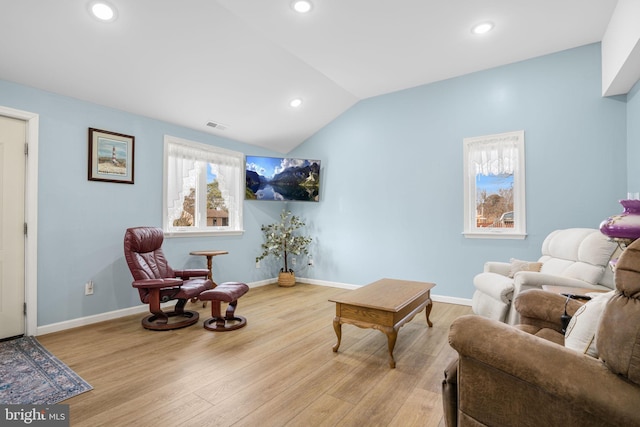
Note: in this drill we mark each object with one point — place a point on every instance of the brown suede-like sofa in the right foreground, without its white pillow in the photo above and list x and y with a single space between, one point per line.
524 376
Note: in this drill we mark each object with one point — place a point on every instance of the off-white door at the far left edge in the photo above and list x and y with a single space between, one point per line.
12 220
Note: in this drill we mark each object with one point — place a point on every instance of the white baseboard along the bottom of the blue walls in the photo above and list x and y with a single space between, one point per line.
144 308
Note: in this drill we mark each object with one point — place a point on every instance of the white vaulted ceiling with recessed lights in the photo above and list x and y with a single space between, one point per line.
238 63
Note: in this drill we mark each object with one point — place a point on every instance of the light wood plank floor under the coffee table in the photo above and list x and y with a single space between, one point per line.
277 371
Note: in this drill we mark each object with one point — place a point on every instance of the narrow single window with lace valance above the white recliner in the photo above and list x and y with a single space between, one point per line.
494 199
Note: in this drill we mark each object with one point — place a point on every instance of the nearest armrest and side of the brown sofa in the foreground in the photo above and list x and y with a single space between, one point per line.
547 384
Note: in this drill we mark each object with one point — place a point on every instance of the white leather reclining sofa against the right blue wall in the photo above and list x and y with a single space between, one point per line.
574 257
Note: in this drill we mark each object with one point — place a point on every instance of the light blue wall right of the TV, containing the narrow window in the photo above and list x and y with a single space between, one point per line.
392 178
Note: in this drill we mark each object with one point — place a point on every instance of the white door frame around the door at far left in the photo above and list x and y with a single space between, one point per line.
31 216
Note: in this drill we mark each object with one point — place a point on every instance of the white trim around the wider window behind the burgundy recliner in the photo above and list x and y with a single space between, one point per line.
210 231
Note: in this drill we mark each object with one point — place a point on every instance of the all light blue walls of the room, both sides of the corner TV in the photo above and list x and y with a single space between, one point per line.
391 202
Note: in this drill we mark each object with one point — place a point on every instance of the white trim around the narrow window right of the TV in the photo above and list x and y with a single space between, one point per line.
471 230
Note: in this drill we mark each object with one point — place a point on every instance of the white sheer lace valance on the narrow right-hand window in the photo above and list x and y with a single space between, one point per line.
494 156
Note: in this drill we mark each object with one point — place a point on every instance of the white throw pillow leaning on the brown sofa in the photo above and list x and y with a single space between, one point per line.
581 332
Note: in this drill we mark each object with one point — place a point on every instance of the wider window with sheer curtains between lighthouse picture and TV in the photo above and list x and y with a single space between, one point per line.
203 188
